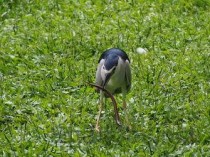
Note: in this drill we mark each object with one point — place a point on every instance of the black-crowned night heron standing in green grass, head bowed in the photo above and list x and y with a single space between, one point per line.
113 74
